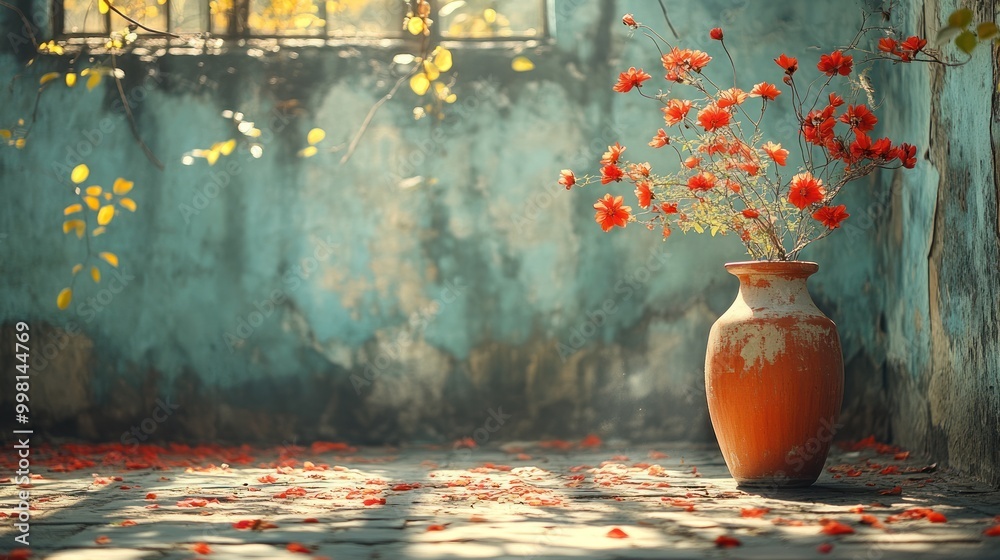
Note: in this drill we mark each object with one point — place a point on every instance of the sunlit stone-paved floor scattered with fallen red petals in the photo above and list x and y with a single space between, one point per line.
549 500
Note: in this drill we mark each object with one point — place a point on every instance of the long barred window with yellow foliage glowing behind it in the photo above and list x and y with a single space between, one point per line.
454 19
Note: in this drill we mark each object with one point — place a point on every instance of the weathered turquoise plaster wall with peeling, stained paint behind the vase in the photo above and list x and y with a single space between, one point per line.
441 273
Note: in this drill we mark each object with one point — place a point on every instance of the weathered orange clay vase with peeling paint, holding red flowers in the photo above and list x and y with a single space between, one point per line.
774 376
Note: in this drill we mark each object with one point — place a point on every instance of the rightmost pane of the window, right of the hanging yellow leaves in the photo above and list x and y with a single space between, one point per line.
491 18
